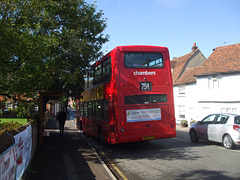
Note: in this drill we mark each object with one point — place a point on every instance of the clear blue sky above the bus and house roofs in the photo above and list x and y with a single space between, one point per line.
175 24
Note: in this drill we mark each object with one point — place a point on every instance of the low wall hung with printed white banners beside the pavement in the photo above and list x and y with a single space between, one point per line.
17 148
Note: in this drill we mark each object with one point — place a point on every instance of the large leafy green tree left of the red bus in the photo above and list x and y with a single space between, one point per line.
47 45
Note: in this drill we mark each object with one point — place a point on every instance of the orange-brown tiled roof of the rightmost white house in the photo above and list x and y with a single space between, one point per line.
224 59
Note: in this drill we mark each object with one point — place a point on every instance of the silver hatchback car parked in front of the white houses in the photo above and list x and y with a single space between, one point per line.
219 127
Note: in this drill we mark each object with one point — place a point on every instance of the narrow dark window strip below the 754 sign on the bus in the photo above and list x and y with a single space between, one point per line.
145 99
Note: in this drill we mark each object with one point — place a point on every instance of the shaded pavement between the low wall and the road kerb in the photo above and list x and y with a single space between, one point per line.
65 157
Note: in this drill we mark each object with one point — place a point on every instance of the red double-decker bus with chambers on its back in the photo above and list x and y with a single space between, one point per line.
129 96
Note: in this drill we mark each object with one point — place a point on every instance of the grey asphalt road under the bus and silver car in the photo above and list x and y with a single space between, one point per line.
175 158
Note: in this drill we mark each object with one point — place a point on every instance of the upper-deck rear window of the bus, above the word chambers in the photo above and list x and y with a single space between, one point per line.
143 60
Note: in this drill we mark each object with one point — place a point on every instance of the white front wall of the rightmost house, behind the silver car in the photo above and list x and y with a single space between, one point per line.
223 96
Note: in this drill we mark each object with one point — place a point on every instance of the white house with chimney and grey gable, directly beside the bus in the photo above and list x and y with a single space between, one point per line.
184 83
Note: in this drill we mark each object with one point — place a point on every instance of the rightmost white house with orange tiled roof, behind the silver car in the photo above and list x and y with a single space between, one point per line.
218 81
